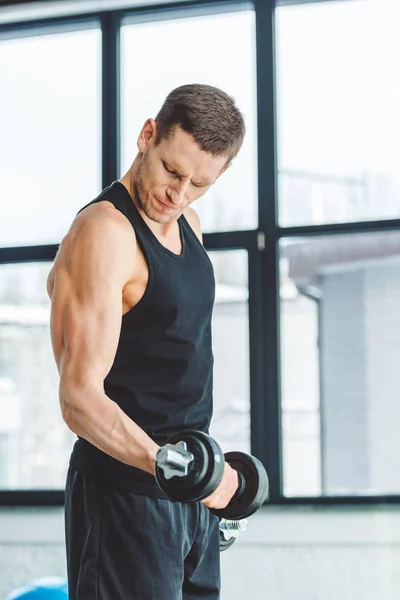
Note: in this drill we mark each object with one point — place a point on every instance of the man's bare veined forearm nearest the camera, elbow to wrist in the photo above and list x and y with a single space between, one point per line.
96 418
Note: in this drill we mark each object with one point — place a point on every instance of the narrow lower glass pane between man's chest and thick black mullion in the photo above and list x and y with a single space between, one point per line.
231 422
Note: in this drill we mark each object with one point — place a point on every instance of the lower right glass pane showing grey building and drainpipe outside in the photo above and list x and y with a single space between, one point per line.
340 340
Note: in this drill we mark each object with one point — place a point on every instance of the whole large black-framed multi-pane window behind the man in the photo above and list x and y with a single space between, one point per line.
304 361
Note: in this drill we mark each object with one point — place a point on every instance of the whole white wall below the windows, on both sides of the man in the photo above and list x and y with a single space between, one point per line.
286 553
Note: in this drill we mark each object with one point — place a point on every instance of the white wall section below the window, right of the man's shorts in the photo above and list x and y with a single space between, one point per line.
316 554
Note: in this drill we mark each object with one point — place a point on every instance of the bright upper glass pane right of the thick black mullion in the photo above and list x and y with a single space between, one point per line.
337 108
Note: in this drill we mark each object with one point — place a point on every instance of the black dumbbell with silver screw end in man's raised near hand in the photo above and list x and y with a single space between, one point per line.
190 466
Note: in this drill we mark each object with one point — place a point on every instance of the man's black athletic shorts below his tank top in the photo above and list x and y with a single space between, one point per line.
125 546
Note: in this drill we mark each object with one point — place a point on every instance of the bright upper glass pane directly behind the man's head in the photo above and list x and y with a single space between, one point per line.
231 204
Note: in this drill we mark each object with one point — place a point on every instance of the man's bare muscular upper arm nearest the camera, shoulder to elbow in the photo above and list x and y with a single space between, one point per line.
86 309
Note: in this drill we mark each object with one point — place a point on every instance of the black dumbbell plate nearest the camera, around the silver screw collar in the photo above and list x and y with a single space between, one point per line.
204 472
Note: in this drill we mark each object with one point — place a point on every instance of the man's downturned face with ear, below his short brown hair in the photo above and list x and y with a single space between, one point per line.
172 175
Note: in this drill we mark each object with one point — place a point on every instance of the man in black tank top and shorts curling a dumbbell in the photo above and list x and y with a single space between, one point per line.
132 292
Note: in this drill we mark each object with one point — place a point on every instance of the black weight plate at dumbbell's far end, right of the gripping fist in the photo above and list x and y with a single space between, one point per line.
255 491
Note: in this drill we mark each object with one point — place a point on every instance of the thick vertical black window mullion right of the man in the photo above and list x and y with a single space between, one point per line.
268 435
